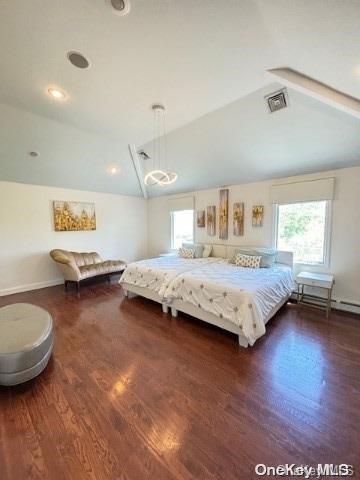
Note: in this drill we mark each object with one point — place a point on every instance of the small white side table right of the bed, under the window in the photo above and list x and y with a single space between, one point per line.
320 280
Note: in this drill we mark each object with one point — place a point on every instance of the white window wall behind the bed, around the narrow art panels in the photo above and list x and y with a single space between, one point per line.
345 231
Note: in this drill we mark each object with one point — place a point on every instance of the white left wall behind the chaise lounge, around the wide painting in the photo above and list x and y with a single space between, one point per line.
27 232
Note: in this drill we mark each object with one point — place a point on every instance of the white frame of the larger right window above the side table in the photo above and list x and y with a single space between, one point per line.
327 233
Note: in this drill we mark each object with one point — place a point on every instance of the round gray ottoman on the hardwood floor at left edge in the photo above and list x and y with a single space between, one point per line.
26 342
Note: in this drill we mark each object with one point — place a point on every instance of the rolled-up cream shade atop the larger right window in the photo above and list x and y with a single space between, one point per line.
312 190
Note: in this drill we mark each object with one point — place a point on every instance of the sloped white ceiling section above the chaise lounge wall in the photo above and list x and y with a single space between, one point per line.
69 157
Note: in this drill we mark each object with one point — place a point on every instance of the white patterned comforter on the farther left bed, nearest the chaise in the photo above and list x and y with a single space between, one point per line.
157 273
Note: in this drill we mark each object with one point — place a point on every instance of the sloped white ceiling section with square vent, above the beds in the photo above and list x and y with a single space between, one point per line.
242 143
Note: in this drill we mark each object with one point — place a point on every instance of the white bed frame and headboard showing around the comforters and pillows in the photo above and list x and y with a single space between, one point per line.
223 251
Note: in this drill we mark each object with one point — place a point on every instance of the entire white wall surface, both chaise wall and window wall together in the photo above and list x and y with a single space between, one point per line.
130 228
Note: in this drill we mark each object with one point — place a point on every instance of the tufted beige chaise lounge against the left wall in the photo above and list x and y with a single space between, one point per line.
77 267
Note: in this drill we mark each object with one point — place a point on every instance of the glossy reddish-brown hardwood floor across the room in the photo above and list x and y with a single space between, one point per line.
131 393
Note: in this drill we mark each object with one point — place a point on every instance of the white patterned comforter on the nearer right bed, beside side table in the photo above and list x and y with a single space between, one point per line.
244 296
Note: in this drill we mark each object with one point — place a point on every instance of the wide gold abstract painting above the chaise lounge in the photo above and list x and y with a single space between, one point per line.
74 216
